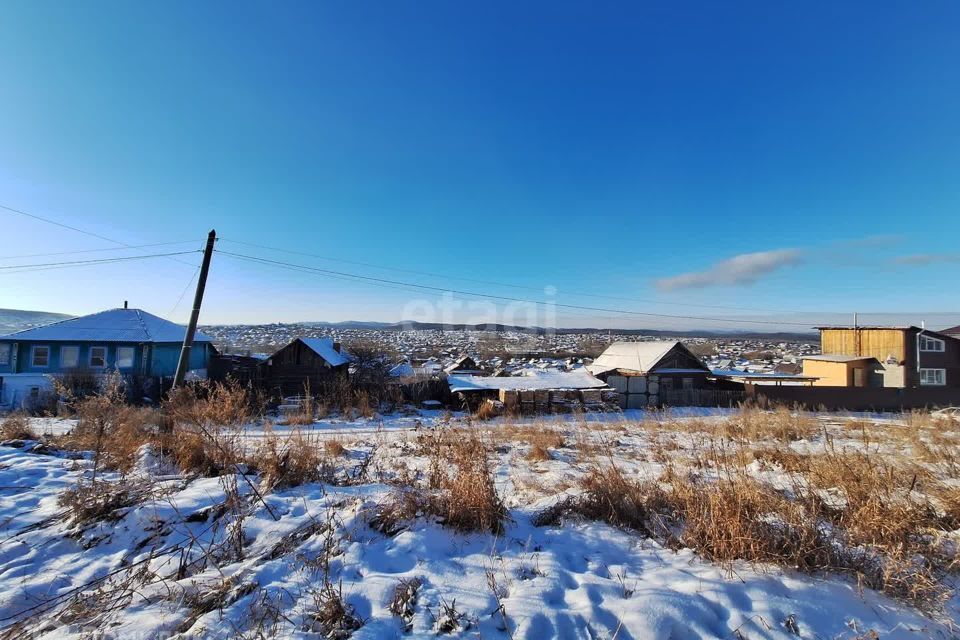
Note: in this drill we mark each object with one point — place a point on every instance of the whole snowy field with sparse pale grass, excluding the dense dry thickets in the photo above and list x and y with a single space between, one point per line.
226 557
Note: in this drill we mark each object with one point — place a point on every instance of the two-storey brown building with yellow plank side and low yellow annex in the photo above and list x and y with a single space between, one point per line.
906 356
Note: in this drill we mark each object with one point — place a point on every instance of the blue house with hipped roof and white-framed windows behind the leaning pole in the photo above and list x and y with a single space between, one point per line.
137 344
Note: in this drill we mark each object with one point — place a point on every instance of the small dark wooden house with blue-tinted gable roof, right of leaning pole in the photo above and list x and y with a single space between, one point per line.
304 363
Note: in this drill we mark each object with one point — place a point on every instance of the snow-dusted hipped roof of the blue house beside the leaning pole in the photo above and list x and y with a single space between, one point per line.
113 325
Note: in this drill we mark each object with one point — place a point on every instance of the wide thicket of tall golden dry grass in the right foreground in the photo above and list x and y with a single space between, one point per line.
880 533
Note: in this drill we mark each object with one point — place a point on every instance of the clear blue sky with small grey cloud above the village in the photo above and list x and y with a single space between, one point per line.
705 159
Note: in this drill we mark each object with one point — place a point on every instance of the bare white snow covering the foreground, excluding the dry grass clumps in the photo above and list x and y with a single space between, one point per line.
580 580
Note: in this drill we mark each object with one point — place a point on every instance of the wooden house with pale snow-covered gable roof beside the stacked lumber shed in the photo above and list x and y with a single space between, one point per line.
651 373
